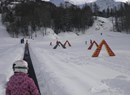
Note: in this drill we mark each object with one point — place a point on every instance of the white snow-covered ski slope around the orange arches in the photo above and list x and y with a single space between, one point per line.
73 71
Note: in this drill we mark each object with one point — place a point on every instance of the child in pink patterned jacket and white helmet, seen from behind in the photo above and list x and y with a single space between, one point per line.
20 83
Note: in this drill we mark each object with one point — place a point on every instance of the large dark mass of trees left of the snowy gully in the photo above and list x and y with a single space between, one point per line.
28 17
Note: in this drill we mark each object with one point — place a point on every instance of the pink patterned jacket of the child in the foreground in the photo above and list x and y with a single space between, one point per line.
21 84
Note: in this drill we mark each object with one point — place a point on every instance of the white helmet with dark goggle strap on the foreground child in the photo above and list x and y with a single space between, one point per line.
20 66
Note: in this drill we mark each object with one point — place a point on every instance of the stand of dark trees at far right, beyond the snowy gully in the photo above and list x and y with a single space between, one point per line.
122 18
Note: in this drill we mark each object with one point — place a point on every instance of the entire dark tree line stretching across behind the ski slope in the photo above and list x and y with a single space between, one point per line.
28 17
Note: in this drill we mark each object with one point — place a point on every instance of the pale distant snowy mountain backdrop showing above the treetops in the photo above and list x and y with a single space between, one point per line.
103 4
